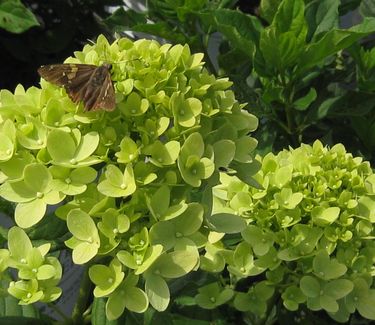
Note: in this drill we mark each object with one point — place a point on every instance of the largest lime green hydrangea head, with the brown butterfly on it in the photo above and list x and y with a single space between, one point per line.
128 182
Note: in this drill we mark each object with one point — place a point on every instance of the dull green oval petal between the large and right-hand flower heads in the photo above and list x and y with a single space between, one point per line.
226 223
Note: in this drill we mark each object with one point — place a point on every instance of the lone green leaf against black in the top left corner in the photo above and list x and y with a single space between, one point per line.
15 17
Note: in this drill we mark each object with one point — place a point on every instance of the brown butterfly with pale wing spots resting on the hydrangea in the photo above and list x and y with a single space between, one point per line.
88 83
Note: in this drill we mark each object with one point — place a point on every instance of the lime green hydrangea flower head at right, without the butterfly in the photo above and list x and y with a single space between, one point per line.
307 233
